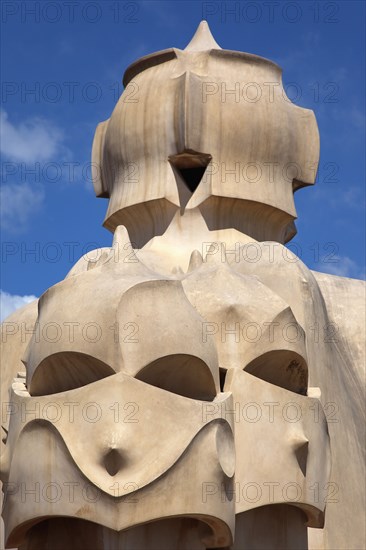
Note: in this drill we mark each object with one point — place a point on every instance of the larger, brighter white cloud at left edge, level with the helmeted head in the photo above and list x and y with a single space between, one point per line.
35 139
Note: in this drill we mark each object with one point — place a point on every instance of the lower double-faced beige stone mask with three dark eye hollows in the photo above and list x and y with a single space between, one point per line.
134 415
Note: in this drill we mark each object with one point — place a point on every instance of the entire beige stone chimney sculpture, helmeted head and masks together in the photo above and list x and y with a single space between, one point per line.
195 386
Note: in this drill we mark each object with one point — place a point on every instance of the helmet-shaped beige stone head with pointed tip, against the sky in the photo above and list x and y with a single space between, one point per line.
250 133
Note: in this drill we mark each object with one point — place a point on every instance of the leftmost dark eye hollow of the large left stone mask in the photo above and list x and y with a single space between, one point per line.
66 371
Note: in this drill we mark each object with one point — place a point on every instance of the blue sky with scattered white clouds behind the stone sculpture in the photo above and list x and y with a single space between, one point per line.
62 65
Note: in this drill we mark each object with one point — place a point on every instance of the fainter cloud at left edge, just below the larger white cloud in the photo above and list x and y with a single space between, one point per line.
17 204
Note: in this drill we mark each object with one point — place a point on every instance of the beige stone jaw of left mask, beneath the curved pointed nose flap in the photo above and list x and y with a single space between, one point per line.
179 491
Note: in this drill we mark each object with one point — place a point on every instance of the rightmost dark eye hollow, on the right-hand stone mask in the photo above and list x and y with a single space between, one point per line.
283 368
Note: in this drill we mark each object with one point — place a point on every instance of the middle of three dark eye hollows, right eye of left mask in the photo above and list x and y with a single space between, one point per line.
182 374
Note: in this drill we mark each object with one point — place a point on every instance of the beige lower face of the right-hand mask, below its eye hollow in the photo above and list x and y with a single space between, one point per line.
292 429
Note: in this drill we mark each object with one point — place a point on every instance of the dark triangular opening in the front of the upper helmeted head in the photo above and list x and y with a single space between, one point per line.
191 167
